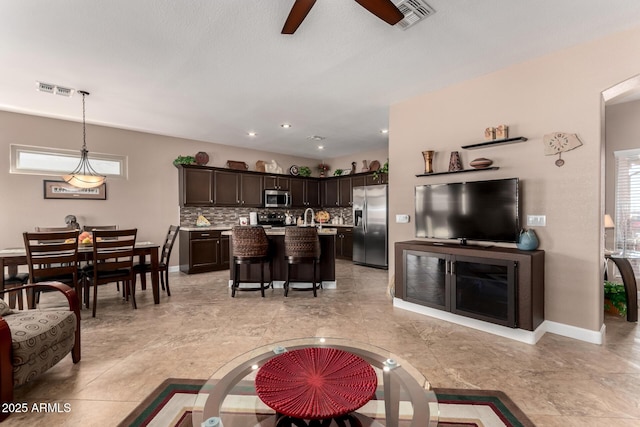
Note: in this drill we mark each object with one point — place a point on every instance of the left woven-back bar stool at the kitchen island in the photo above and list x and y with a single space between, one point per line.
249 246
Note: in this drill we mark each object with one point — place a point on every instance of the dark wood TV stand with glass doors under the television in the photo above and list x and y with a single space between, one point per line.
526 275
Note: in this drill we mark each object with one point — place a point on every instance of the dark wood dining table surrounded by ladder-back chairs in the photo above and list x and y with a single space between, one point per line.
12 258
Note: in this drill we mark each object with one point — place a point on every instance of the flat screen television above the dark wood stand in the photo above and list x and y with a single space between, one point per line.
478 210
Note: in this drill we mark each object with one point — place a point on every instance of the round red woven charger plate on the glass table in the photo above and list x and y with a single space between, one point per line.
316 383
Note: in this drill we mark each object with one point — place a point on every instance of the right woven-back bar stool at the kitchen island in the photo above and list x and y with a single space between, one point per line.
301 246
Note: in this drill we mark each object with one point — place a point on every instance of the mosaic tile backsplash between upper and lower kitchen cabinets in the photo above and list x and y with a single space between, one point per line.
230 216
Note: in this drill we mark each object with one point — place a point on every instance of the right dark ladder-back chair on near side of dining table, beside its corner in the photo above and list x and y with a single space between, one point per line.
112 262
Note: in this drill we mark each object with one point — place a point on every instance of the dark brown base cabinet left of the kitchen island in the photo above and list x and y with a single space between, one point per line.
203 251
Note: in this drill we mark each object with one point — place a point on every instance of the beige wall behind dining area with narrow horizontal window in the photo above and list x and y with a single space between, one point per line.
148 200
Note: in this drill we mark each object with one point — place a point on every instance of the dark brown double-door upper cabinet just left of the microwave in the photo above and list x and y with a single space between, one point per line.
237 189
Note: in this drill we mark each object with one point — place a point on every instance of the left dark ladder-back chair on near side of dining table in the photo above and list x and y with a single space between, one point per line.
52 256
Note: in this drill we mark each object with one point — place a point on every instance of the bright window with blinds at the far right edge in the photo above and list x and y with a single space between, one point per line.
627 215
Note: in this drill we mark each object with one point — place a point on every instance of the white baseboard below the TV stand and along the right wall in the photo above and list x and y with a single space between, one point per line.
528 337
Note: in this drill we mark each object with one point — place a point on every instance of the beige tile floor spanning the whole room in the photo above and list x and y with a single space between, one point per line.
127 353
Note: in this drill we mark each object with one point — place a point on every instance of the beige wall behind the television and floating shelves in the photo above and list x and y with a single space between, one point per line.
558 92
